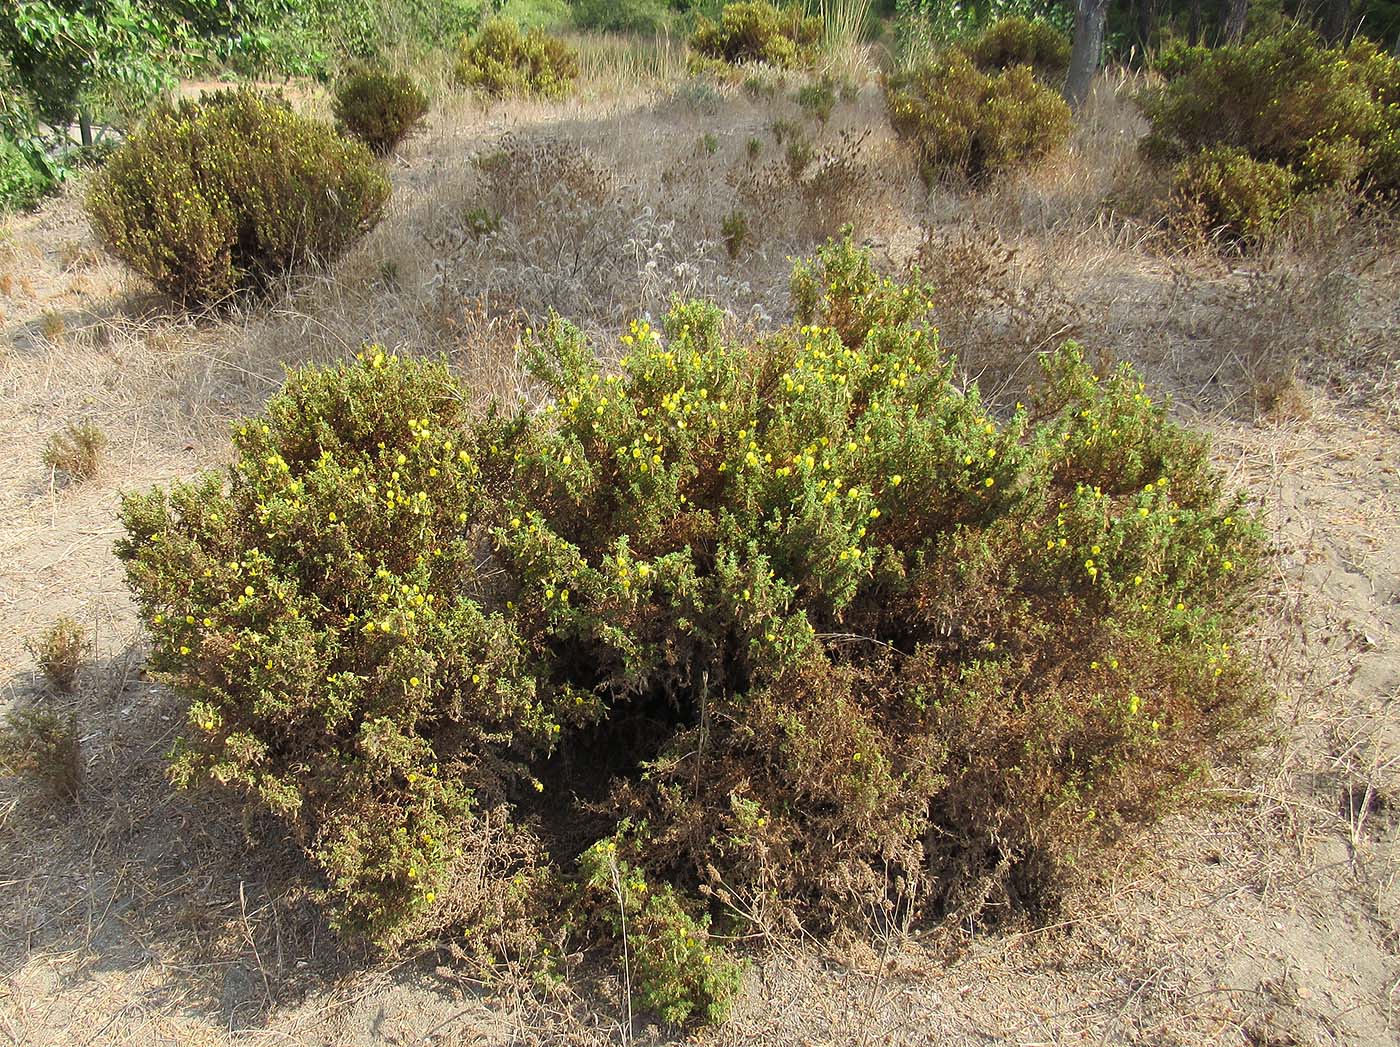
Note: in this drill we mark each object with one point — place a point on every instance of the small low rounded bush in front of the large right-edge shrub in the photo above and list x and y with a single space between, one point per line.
1226 191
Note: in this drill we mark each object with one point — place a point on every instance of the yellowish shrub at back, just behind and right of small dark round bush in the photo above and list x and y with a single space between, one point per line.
502 61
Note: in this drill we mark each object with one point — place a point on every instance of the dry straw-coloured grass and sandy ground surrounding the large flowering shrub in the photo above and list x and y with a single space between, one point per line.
145 916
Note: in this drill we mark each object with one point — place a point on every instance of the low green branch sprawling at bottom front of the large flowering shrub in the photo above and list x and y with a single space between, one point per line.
675 969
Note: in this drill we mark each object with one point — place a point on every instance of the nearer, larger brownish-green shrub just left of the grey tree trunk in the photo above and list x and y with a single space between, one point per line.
960 118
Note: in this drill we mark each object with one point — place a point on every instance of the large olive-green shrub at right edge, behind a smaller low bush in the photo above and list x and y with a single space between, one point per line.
1329 115
